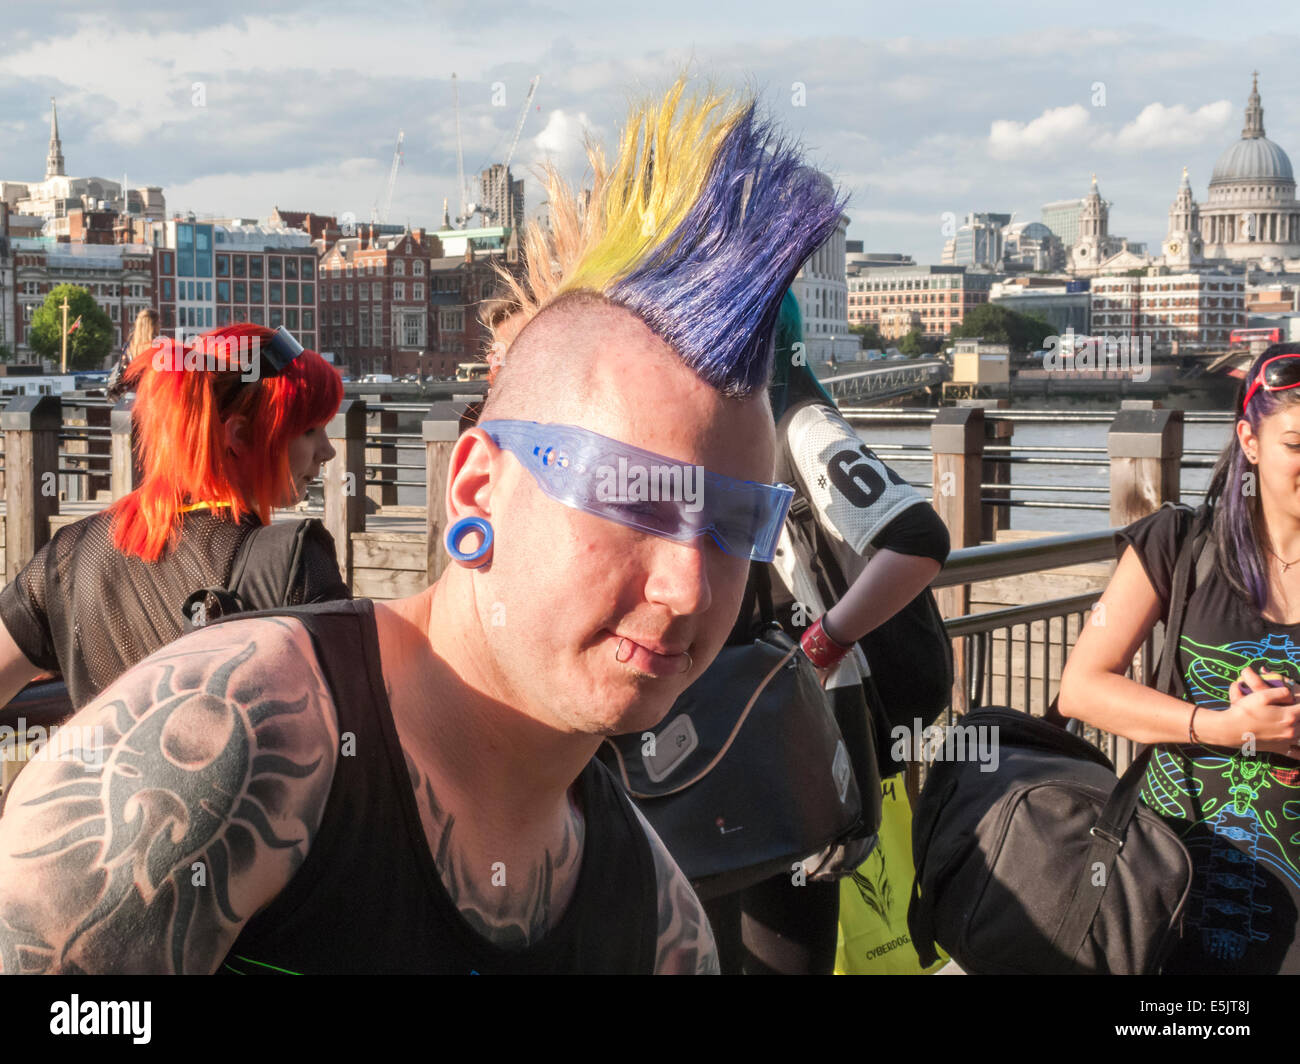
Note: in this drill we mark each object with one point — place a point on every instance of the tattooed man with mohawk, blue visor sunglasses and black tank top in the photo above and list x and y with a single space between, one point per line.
410 786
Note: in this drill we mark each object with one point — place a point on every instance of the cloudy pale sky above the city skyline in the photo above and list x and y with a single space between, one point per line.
918 110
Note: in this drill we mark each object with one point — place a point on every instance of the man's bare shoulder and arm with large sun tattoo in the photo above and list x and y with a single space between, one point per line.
171 810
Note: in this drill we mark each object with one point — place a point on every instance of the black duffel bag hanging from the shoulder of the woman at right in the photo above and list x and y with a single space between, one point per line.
1048 864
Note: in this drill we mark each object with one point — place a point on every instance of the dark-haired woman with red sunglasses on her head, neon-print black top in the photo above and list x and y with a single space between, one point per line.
1228 780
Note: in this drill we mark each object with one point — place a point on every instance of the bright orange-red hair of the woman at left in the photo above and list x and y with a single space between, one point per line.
181 422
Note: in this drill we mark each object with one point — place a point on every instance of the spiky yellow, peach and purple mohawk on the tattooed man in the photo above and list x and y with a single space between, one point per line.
699 228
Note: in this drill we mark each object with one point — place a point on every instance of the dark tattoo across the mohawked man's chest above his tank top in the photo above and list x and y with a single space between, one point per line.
512 918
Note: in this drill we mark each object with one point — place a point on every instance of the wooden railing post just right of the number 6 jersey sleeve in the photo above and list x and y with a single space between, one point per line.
957 449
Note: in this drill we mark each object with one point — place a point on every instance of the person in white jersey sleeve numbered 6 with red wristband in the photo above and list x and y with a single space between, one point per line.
878 527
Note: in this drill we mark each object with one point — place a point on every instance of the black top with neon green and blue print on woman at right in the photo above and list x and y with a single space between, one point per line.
1238 816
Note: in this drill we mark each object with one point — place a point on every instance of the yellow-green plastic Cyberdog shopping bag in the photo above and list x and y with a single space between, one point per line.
874 938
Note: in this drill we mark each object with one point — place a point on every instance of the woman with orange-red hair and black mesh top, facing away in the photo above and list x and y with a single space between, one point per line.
229 427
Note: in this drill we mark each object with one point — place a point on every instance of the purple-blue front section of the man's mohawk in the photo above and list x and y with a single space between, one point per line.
713 288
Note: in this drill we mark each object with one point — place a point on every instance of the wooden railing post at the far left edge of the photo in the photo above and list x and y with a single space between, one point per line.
31 427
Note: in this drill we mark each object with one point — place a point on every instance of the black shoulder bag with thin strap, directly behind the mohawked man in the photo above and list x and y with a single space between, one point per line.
749 773
